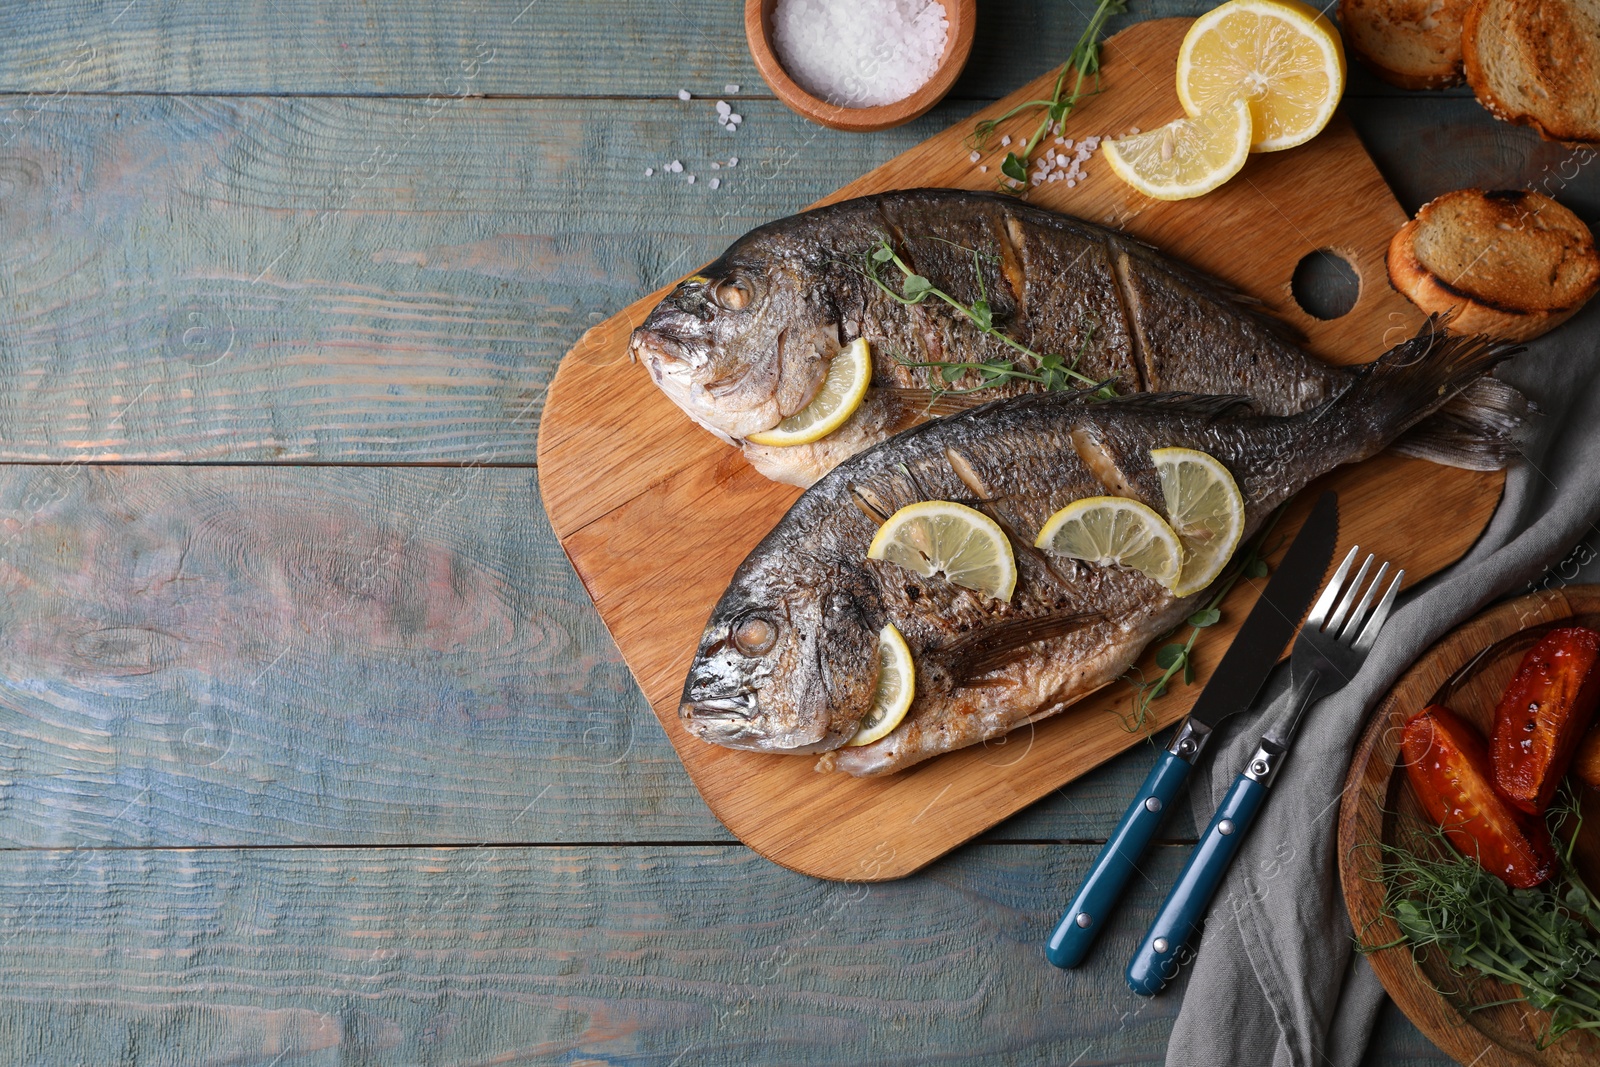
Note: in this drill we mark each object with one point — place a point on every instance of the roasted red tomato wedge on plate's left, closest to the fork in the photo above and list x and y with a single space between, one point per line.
1449 769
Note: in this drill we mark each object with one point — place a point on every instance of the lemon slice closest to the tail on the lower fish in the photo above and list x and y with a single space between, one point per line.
1206 511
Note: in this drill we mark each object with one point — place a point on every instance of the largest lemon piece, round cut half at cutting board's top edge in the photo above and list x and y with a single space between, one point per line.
1281 55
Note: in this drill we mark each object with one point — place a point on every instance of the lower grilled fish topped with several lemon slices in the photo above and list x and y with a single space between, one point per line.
790 660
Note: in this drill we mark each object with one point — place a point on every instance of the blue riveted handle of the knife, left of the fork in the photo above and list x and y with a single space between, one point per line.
1118 861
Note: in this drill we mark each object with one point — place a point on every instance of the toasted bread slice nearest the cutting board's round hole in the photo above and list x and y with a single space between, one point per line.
1511 265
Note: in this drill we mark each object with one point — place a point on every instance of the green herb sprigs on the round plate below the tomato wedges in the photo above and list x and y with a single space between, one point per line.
1542 941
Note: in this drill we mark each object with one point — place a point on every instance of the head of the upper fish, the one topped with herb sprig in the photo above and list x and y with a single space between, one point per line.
743 345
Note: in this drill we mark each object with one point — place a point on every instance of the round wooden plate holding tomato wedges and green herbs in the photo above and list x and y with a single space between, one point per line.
1466 671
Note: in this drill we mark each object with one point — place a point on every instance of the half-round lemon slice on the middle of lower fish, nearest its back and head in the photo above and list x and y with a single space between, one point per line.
953 540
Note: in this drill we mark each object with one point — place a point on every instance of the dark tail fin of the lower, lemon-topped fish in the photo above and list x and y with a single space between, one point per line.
1420 377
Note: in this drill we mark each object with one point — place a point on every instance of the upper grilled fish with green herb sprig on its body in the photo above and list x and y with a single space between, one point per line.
748 342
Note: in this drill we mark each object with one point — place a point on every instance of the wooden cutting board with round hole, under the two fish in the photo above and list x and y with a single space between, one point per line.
657 519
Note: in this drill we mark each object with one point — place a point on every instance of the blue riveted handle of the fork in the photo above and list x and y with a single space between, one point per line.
1186 906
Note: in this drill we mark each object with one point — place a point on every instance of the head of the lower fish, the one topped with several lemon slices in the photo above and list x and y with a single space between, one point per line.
791 673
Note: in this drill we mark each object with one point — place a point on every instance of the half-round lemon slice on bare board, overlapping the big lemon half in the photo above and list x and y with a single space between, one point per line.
1185 158
